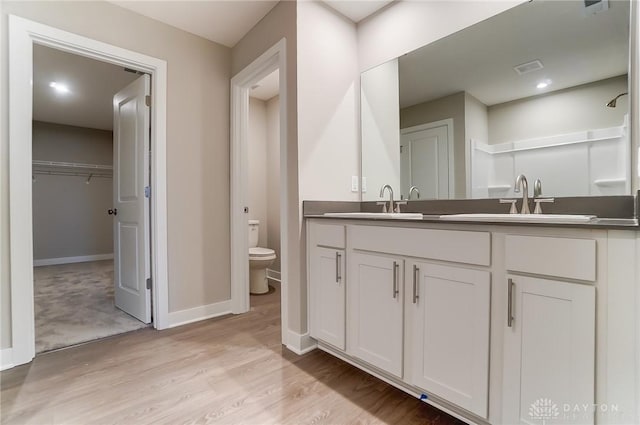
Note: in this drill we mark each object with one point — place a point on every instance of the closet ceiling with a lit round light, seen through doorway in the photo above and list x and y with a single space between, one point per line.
91 84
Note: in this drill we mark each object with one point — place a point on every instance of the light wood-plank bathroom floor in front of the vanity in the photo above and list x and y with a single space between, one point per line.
231 370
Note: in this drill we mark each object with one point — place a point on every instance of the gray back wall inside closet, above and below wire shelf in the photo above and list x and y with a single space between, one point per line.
70 216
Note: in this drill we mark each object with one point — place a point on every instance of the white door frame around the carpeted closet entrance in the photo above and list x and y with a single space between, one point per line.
23 34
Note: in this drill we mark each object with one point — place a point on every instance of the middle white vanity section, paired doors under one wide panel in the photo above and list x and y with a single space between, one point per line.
447 339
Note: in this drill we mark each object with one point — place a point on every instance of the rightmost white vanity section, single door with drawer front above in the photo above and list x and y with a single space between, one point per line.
549 340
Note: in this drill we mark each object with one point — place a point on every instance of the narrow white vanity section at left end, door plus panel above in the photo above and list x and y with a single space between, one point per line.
327 283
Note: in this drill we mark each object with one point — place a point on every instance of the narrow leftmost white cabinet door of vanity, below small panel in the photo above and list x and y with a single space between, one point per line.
327 296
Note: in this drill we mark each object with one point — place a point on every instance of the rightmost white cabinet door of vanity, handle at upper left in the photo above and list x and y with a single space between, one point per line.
549 348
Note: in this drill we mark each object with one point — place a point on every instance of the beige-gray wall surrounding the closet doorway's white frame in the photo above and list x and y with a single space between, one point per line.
197 142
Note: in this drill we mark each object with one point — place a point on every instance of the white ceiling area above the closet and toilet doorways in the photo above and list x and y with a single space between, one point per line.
224 22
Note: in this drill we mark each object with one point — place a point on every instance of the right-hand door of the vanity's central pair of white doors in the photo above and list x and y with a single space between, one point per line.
450 308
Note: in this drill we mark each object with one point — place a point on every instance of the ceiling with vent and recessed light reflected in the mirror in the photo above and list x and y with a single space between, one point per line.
575 48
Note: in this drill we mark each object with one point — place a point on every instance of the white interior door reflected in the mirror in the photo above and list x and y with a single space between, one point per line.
427 152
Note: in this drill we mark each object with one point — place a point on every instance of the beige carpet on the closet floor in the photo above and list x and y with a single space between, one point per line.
74 304
